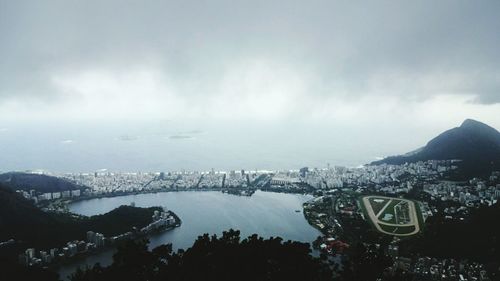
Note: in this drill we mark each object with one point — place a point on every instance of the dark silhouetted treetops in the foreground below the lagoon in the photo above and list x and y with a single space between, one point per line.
213 258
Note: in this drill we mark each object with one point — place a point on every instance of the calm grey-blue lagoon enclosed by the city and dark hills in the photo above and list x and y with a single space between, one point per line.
265 213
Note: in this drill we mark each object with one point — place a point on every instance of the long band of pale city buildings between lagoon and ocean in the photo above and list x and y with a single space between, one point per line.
384 179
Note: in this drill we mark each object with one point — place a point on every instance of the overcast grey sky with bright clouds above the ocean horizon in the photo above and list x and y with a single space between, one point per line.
376 66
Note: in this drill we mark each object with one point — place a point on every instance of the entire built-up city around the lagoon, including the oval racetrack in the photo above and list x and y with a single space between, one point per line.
348 204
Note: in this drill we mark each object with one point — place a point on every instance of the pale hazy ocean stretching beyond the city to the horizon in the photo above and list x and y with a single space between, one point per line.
173 146
